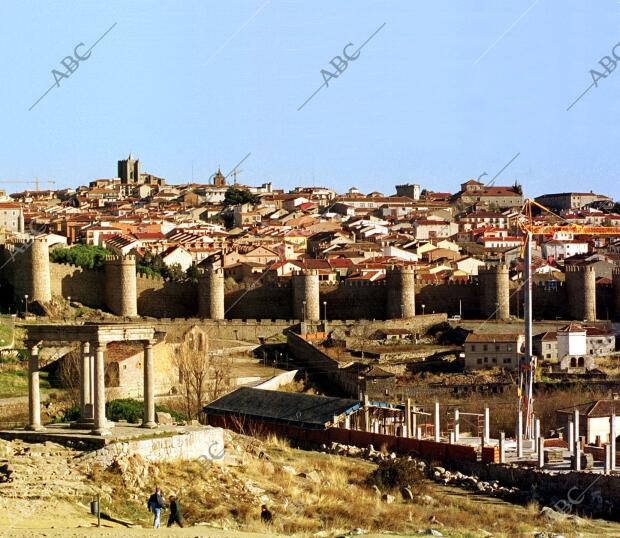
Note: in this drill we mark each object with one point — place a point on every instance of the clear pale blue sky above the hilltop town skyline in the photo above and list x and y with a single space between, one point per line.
445 91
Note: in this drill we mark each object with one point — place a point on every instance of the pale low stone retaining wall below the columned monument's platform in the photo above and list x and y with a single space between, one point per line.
189 445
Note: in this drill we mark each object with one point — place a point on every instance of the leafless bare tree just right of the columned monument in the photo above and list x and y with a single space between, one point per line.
203 375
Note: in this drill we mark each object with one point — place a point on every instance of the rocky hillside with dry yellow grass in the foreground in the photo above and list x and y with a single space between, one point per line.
45 490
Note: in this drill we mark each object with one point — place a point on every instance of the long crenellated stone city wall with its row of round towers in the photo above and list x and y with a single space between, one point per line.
399 296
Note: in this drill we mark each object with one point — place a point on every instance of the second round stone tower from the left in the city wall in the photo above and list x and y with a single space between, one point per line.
120 285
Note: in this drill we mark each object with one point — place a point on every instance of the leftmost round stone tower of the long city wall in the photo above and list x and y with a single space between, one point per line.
31 270
